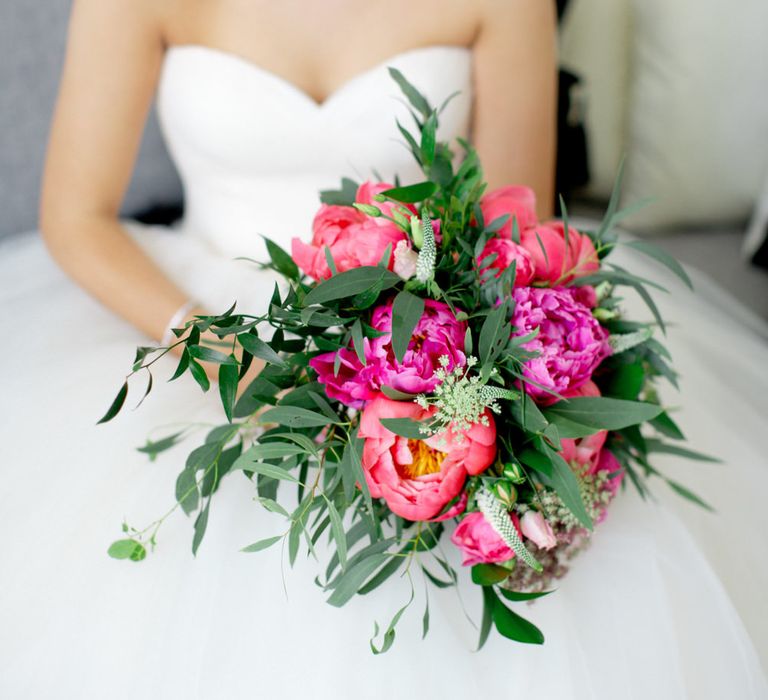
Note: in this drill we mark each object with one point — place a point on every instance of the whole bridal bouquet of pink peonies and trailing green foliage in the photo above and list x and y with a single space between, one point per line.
438 362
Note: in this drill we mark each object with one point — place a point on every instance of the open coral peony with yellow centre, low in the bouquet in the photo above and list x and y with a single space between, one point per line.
418 478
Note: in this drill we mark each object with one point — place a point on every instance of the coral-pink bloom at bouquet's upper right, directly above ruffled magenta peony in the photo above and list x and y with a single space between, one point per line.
554 264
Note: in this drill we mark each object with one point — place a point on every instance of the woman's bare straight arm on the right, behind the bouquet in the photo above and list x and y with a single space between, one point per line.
515 109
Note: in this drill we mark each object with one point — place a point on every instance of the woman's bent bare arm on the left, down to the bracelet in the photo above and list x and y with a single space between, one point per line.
114 54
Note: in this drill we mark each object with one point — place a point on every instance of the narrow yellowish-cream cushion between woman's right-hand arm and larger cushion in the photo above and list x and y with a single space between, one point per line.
595 45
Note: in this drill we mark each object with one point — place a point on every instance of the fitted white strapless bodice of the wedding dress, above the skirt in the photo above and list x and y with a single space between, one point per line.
253 150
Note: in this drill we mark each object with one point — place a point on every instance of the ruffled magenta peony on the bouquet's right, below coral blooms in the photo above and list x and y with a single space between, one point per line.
571 342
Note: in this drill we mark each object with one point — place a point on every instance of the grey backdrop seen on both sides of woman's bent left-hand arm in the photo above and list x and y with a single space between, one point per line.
32 42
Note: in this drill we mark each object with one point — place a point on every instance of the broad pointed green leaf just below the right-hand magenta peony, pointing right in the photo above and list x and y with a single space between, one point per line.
601 413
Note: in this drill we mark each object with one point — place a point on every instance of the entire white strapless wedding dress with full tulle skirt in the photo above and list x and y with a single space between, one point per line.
668 602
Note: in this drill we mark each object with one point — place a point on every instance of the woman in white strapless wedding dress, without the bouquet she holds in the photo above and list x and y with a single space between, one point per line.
262 105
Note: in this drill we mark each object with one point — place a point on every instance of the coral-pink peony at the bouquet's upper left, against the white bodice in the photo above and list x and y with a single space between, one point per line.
354 239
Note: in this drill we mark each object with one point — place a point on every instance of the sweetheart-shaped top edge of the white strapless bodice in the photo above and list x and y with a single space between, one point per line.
236 59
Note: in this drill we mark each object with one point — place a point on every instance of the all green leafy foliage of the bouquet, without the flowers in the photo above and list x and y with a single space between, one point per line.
285 434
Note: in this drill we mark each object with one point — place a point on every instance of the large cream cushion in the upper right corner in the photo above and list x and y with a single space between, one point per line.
698 123
